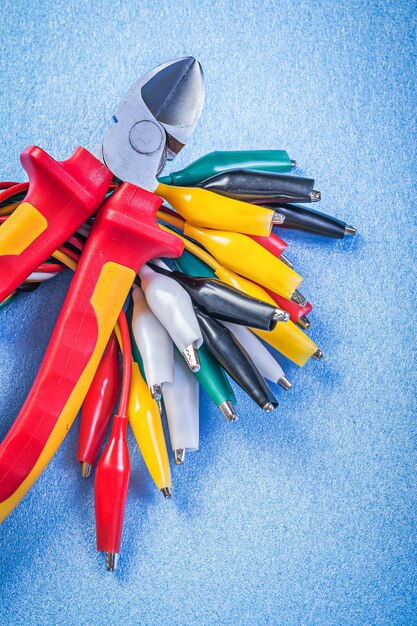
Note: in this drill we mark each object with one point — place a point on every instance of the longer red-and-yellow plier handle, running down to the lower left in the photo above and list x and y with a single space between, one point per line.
124 236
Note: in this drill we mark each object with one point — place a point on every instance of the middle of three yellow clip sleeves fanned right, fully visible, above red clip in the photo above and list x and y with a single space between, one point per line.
246 257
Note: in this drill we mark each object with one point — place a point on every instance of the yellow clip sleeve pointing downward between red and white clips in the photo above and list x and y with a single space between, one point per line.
146 424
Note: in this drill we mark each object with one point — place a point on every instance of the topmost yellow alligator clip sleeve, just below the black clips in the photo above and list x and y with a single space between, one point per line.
205 208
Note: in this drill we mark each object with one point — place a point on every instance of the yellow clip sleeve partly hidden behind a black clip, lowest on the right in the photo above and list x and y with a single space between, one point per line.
286 337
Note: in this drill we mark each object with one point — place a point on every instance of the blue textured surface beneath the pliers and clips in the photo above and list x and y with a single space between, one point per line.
304 516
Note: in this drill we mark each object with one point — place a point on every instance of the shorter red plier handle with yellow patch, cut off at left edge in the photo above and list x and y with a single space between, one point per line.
62 195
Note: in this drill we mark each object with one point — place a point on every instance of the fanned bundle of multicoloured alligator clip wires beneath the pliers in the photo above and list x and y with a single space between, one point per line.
194 325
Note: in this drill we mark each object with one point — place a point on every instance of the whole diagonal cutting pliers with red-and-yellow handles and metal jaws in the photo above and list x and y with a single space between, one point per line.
152 124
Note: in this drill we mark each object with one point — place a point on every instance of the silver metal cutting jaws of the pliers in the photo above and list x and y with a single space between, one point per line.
154 122
